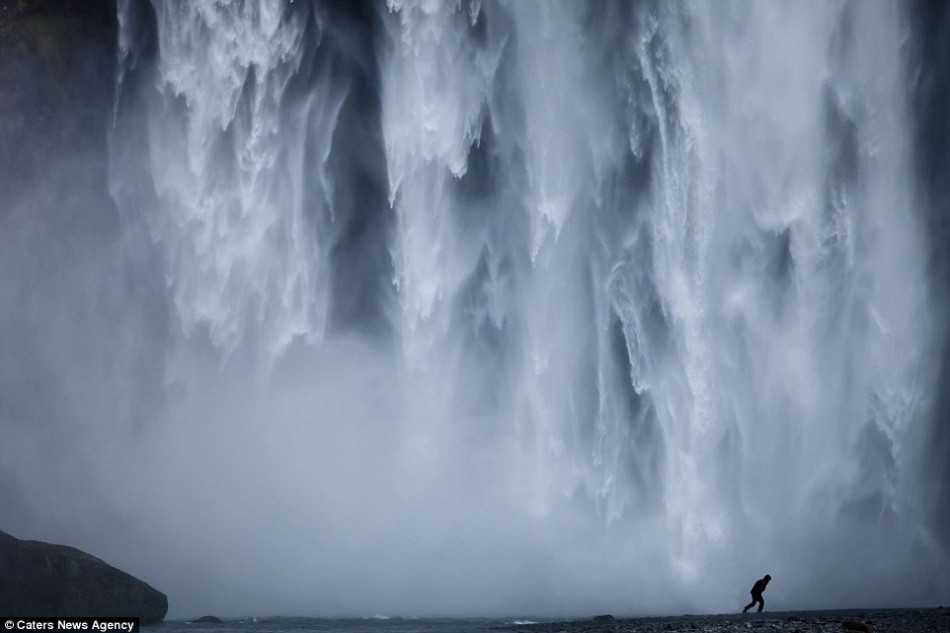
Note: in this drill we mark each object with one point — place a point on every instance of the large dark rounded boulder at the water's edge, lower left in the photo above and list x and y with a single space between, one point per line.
45 580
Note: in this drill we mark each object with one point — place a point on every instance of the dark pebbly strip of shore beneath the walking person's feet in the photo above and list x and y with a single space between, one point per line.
935 620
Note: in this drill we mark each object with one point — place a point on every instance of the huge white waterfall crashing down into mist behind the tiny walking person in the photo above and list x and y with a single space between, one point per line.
506 307
